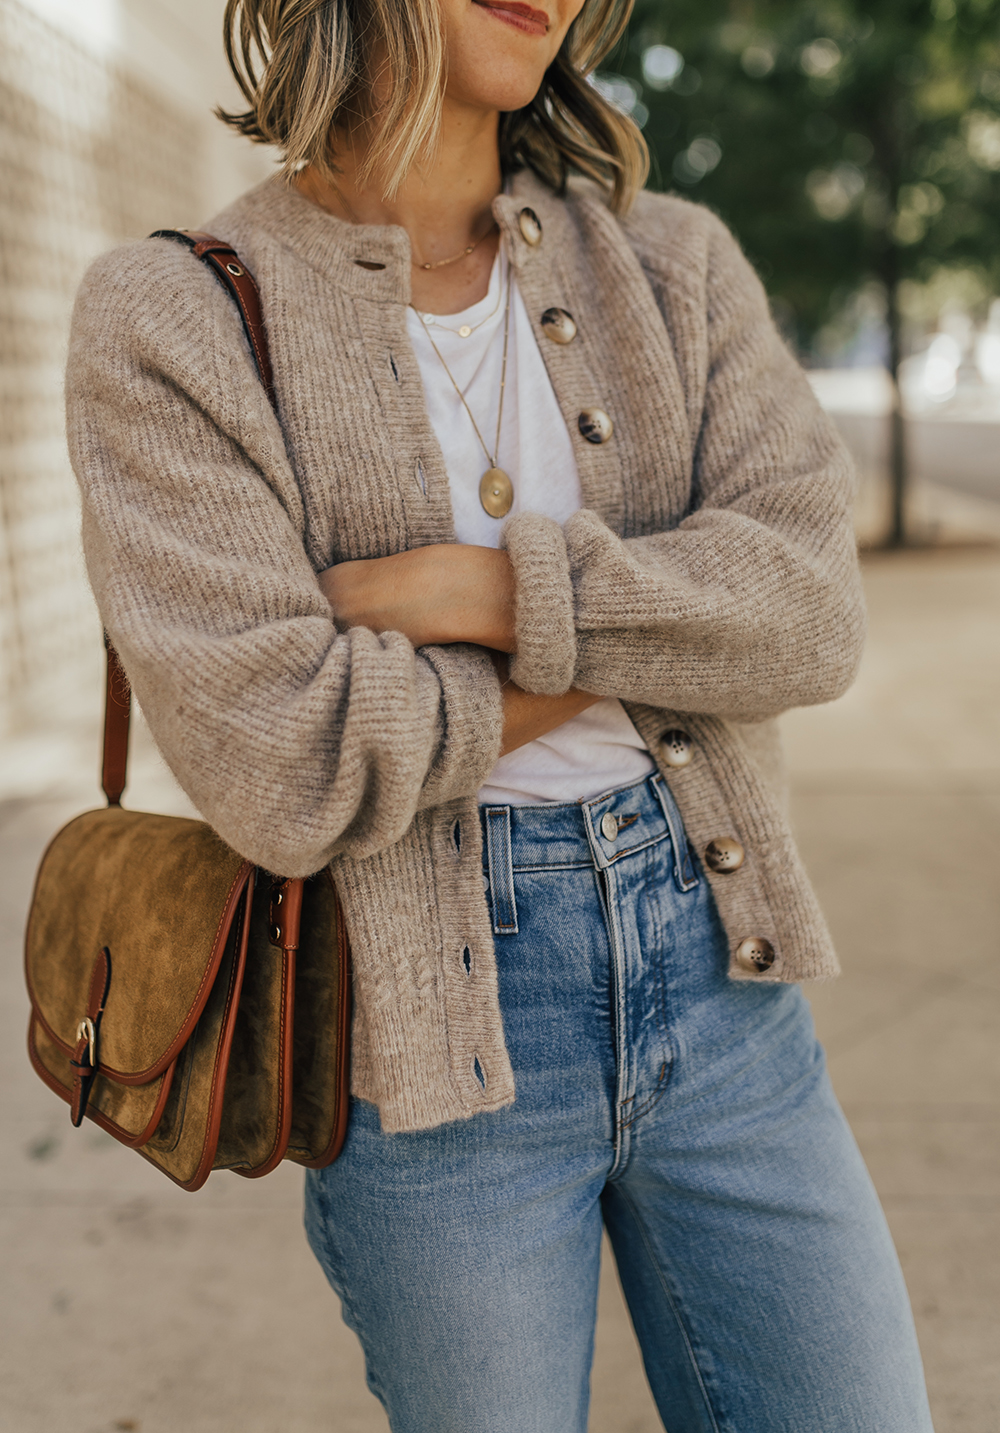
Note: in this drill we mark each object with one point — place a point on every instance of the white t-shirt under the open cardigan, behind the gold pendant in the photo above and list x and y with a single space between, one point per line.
600 749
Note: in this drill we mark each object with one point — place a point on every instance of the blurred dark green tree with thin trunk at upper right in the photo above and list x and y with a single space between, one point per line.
846 144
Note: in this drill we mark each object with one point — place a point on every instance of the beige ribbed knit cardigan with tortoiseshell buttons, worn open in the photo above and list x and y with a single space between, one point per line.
710 581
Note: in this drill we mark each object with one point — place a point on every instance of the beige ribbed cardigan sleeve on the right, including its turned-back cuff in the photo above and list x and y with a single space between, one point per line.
753 604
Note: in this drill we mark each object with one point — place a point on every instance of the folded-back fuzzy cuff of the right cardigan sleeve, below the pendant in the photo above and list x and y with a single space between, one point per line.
544 605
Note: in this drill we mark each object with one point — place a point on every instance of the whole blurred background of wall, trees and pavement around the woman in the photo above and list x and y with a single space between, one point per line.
856 151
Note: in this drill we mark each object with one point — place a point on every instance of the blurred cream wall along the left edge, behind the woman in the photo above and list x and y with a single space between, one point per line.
92 151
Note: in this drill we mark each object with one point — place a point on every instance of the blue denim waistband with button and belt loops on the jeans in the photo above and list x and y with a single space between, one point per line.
598 833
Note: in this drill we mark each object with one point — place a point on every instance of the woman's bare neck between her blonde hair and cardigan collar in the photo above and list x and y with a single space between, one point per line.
445 206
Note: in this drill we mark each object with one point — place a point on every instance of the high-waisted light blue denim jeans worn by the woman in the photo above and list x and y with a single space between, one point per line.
690 1116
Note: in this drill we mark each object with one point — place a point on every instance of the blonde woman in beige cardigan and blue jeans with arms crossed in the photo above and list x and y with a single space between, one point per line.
496 618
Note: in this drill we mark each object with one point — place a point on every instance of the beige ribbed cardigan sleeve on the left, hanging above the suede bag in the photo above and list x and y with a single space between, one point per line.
294 740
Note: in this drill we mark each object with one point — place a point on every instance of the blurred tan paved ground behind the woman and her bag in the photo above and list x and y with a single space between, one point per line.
133 1306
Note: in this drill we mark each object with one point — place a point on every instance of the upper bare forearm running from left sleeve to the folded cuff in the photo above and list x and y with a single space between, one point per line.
449 593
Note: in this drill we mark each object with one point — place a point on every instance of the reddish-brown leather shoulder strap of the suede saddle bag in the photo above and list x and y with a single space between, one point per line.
241 284
